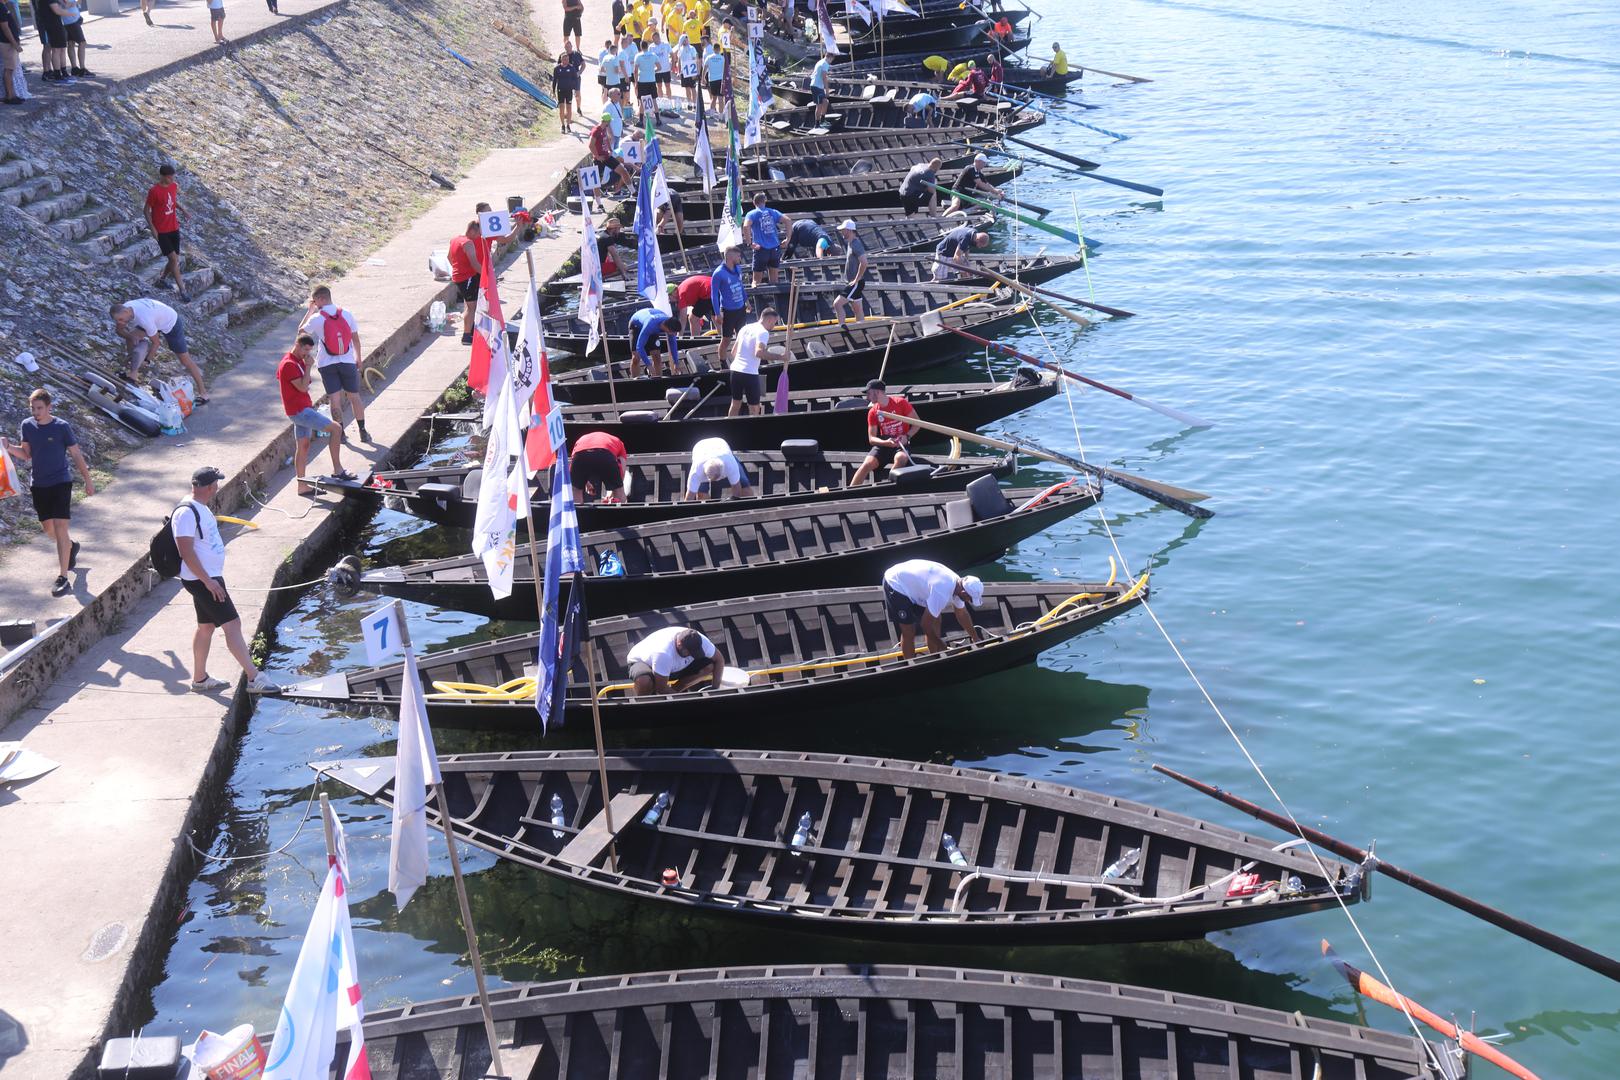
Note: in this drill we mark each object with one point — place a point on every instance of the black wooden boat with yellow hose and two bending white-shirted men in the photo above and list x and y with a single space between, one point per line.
803 653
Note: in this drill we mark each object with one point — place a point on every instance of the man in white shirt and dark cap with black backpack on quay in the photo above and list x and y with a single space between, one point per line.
203 576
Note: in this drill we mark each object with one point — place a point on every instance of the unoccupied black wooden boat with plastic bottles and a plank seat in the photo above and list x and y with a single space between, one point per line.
1036 856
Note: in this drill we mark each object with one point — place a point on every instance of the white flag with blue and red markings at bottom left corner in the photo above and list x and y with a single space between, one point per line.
323 997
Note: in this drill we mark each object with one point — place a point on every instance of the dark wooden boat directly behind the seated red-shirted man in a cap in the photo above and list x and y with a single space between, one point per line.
833 417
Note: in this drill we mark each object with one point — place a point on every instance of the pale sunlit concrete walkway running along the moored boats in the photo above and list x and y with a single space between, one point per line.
95 854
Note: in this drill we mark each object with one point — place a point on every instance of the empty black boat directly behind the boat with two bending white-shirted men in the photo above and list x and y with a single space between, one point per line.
748 553
